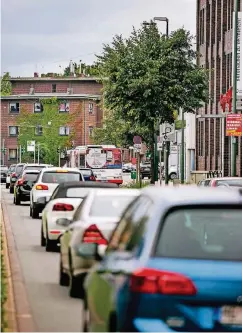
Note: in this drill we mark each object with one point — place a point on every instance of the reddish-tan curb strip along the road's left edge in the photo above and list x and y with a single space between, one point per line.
23 316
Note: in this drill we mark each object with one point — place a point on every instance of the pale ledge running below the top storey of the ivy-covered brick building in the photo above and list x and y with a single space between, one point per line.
50 95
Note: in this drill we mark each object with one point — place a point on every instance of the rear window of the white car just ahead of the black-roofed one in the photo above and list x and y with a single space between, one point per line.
53 177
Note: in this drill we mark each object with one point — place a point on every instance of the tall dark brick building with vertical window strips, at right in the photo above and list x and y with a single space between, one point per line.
214 43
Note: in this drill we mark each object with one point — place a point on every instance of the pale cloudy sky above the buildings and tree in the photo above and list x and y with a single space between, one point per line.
44 35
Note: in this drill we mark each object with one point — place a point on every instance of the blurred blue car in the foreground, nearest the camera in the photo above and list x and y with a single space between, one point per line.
173 264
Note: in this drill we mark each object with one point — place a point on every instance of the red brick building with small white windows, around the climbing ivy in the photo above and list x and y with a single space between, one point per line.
80 95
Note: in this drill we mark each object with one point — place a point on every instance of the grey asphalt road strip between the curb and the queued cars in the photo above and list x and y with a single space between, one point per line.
52 308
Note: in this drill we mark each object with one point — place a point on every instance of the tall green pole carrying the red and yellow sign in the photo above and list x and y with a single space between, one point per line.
234 110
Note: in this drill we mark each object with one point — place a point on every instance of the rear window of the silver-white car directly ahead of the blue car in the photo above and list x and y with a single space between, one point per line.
109 206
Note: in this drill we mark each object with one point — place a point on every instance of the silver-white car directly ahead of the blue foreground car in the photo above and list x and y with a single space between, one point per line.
93 221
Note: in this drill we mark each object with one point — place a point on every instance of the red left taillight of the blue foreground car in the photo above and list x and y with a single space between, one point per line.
153 281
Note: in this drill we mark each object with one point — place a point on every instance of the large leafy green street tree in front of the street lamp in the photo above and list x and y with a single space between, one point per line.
147 76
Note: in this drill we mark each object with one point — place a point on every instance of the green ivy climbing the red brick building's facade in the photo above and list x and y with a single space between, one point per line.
50 120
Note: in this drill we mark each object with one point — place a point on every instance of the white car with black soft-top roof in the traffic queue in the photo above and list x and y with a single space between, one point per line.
62 205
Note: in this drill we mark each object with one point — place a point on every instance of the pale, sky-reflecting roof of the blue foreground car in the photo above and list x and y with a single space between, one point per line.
186 195
